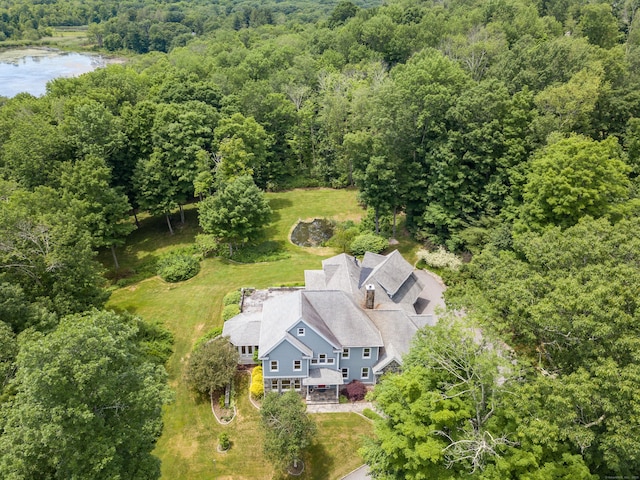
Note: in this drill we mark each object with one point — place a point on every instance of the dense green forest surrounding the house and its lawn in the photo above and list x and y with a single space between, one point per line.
508 130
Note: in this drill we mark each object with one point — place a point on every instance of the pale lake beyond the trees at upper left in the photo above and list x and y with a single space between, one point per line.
29 70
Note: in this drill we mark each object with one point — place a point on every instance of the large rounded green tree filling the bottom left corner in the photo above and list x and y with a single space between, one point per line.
88 404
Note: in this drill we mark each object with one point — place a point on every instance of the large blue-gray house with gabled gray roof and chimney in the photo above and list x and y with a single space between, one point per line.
353 320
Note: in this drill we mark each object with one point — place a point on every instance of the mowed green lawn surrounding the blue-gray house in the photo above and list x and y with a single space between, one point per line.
187 446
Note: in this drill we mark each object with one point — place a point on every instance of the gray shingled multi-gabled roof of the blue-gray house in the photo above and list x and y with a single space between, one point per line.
331 304
